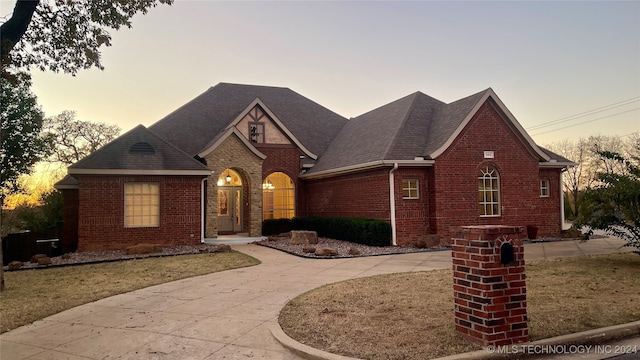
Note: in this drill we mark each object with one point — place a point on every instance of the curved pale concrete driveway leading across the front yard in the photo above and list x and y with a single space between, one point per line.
225 315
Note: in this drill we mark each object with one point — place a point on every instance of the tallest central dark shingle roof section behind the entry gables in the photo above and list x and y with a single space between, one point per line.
197 123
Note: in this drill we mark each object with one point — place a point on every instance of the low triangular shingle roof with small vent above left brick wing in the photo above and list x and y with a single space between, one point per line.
138 149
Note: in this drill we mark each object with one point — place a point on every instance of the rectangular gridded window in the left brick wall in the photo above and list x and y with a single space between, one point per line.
141 204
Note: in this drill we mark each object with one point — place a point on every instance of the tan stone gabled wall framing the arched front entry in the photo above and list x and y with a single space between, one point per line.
233 154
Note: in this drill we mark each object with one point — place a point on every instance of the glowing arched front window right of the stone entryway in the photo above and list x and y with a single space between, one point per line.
278 197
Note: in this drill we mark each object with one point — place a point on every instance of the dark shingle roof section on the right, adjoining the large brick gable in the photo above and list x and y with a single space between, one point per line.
411 127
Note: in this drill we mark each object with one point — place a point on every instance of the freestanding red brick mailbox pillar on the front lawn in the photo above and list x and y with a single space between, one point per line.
489 284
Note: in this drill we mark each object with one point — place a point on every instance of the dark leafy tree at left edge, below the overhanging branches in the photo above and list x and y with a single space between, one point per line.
22 143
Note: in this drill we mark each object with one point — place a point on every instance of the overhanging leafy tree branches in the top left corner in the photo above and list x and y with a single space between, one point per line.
64 35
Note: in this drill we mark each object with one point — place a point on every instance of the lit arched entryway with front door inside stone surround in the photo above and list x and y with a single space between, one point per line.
230 204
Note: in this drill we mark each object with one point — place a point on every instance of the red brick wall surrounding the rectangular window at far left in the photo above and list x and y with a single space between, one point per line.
101 212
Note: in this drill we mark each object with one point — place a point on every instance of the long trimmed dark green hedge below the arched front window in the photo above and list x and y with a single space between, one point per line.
371 232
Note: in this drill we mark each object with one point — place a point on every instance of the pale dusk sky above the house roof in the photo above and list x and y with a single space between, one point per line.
564 69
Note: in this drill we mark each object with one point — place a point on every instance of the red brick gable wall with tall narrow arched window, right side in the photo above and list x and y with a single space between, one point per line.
455 197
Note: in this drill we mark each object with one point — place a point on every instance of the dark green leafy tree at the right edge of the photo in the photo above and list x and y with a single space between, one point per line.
613 205
